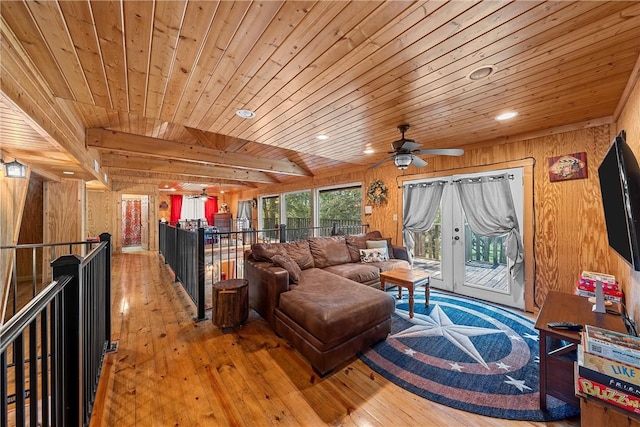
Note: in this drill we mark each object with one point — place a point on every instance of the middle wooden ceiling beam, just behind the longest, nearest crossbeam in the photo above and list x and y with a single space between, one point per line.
177 167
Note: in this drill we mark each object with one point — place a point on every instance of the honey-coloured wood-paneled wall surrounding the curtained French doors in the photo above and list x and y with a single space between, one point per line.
570 234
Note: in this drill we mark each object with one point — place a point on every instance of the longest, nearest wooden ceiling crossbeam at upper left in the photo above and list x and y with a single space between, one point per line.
103 139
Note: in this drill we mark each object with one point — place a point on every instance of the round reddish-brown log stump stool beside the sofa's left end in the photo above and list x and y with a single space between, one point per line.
230 306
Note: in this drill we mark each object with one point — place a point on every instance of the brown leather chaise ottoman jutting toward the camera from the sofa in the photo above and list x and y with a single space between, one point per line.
329 319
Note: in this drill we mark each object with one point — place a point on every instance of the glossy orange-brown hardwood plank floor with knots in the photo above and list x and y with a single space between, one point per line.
171 371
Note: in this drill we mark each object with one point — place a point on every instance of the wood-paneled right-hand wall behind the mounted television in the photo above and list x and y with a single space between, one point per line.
629 121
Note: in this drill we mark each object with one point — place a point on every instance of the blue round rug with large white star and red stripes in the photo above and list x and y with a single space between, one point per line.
466 354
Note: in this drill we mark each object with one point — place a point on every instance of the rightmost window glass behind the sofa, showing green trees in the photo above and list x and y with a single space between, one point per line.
342 208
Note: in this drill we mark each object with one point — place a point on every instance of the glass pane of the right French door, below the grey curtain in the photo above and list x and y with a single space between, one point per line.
485 261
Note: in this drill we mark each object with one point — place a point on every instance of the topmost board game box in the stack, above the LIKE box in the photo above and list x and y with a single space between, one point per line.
611 344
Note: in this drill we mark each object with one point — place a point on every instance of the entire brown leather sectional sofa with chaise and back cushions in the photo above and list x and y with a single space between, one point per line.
314 293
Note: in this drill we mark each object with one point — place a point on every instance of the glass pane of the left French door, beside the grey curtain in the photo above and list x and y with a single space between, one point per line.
428 248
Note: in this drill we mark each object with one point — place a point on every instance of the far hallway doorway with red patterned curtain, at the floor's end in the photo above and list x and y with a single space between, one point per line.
134 223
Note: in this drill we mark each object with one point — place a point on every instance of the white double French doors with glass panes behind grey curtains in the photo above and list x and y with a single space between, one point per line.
465 262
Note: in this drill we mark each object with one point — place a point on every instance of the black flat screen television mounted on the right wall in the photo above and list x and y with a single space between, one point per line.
619 175
